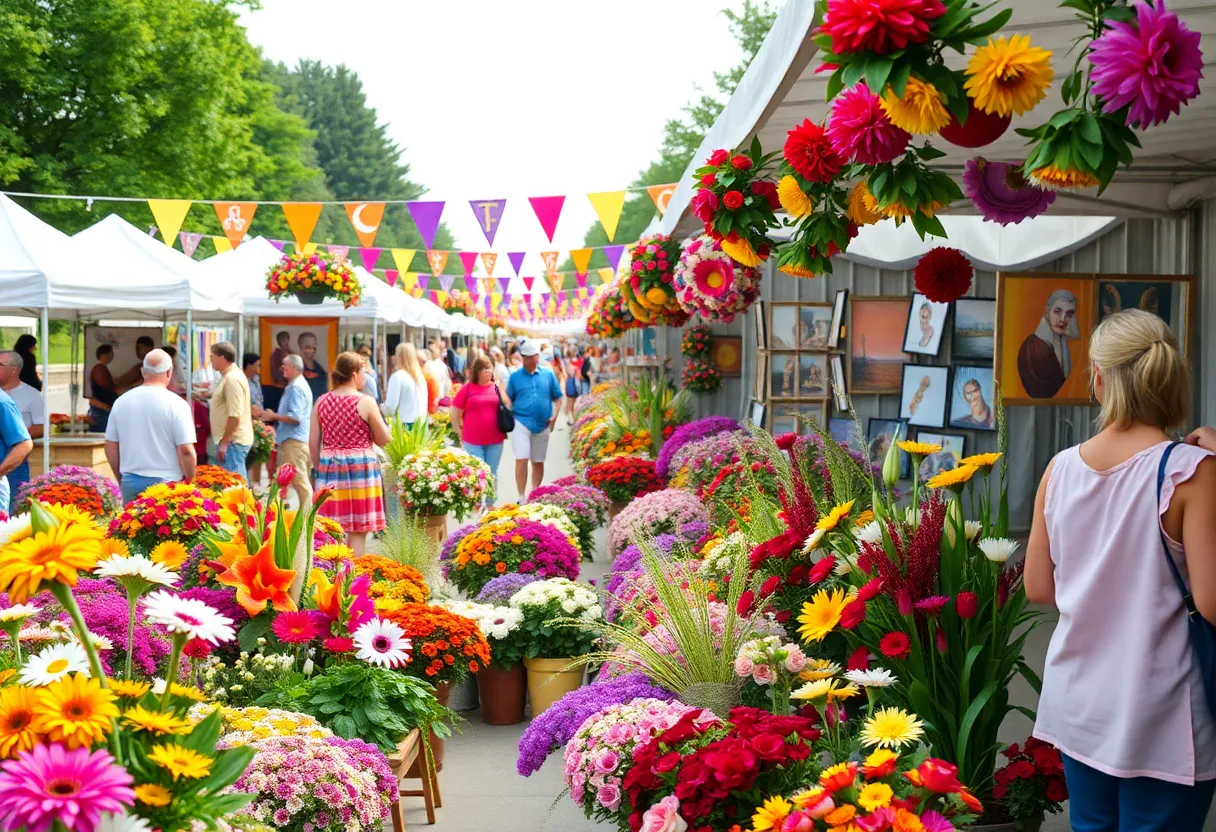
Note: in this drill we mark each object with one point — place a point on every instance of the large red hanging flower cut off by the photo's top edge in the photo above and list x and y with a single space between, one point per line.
879 26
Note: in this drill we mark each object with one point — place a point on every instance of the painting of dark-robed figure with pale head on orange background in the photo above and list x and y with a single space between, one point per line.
1044 327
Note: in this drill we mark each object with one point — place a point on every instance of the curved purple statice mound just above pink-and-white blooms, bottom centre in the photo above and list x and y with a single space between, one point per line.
550 732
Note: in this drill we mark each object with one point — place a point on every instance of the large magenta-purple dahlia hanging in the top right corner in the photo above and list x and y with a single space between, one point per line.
1153 65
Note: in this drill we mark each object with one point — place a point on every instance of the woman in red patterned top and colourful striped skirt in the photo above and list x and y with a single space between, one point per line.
346 424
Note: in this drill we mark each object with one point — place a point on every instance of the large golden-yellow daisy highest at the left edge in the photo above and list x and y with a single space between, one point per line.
58 555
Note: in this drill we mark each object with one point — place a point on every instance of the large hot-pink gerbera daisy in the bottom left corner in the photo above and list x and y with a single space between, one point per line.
53 784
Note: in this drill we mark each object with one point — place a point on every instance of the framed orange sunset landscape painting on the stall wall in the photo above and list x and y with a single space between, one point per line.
876 344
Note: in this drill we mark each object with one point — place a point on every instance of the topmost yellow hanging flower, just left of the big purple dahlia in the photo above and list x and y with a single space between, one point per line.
1009 77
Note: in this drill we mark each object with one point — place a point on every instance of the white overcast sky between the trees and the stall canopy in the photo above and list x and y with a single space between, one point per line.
510 99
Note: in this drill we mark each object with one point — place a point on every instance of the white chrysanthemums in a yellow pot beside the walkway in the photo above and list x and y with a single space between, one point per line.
554 651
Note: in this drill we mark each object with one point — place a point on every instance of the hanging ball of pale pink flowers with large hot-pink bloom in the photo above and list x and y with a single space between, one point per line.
712 285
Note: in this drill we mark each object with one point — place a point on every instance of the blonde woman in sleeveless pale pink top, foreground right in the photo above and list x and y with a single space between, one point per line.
1123 698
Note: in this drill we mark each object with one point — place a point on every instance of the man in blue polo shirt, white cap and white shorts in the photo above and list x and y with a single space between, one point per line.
532 390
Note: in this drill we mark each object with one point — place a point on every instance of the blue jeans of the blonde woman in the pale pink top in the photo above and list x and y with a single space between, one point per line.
1102 803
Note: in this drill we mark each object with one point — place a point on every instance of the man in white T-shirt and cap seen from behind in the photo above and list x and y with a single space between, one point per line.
151 434
